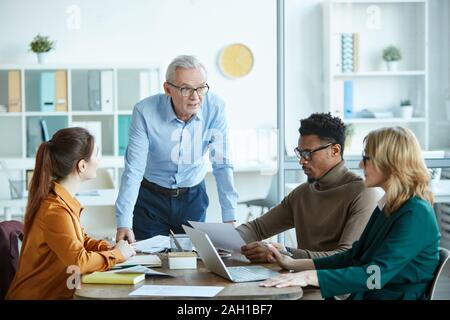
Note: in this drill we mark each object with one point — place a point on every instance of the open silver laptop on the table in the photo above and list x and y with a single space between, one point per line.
214 263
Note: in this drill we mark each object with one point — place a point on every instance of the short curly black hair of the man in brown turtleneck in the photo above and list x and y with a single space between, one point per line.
326 127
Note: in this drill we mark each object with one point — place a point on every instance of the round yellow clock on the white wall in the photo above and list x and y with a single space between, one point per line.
236 60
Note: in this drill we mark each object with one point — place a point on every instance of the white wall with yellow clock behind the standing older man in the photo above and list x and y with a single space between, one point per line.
155 31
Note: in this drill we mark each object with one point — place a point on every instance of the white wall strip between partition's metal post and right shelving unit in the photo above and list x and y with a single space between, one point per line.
304 64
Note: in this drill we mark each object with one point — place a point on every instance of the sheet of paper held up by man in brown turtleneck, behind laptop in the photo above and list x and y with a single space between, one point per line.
223 235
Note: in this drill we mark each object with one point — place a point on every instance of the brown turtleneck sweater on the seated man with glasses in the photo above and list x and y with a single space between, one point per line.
328 215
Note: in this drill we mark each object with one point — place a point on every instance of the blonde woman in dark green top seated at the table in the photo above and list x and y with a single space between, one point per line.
397 254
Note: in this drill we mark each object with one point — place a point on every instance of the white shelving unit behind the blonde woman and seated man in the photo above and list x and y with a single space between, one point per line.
379 23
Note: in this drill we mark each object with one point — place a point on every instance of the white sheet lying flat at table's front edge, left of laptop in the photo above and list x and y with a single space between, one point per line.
177 291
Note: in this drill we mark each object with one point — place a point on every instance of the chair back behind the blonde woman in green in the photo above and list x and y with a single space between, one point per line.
440 288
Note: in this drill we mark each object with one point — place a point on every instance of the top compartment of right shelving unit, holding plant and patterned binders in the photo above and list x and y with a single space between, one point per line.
354 17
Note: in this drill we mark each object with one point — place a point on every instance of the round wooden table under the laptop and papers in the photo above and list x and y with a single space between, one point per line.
200 277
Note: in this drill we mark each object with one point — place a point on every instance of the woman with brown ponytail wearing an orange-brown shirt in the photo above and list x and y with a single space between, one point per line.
55 246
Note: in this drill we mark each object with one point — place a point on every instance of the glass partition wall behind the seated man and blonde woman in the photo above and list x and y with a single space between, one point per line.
374 64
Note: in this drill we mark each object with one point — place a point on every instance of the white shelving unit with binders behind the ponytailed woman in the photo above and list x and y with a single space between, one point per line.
14 147
